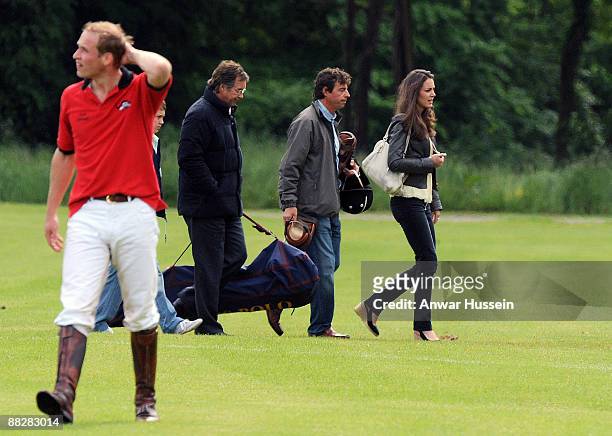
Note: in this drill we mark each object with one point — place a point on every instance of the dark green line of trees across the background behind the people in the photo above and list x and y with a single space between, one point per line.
519 82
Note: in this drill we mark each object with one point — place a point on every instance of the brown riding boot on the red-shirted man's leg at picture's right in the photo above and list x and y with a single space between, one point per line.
144 353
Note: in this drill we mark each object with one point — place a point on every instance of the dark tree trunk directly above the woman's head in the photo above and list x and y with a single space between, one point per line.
403 60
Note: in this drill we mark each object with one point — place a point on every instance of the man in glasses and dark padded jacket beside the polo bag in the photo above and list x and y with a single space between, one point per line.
210 164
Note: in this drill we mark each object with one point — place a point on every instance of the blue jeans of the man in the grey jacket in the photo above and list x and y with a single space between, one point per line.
324 250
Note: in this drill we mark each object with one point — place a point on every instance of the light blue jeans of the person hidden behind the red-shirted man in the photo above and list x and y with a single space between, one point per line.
110 301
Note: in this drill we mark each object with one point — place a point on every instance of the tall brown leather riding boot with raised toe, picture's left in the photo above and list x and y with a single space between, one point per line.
70 357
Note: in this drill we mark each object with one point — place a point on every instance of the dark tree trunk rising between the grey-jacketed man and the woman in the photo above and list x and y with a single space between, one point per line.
375 8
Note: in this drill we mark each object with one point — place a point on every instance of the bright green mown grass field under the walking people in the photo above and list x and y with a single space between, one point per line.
524 377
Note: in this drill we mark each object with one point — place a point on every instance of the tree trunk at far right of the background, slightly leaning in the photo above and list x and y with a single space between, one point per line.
570 57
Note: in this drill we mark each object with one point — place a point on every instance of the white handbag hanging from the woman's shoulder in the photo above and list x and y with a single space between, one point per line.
376 166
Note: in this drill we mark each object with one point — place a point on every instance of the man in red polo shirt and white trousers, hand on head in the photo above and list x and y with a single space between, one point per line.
105 131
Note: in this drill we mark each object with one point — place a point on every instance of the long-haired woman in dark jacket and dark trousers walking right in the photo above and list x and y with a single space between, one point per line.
417 207
